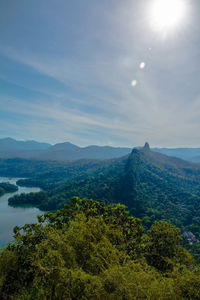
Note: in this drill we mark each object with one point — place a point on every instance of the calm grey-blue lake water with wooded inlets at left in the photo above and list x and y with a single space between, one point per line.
12 216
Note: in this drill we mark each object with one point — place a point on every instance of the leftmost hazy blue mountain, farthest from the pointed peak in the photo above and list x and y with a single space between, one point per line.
10 148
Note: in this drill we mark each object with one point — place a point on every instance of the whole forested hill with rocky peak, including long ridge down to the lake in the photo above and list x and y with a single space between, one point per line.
150 184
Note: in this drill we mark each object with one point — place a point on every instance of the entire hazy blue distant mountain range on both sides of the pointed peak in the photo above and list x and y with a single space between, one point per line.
10 148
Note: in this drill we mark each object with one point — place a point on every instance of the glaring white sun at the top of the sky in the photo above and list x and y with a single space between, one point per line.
166 15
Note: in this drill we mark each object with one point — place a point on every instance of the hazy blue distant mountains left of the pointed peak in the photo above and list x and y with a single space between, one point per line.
10 148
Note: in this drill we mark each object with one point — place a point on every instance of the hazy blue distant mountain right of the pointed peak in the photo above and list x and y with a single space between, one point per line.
190 154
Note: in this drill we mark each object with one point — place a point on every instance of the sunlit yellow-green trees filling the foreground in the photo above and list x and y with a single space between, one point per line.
89 250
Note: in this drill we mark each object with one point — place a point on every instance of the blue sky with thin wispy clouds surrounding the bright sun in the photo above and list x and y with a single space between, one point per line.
96 72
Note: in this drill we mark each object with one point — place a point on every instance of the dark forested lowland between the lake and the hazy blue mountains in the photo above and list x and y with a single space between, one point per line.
48 174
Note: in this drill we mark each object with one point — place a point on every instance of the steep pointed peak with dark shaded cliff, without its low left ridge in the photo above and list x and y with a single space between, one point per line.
161 187
